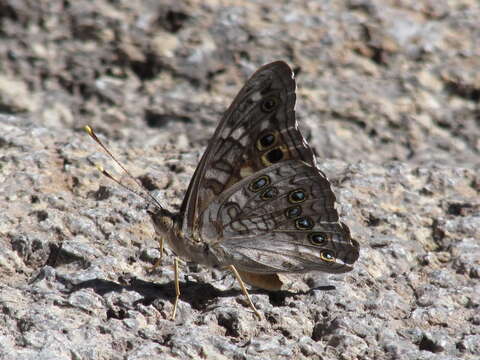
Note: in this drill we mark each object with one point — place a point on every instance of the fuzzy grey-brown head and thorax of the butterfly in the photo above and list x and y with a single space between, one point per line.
187 246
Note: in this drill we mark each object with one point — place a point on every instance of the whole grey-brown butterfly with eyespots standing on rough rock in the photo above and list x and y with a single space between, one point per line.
257 203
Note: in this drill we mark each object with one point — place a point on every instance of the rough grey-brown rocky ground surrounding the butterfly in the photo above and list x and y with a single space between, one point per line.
388 95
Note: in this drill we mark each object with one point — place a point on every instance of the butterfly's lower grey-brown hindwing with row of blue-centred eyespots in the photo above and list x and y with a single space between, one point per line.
281 219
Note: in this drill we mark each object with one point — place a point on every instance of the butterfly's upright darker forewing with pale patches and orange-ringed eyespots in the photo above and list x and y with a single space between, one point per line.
259 129
